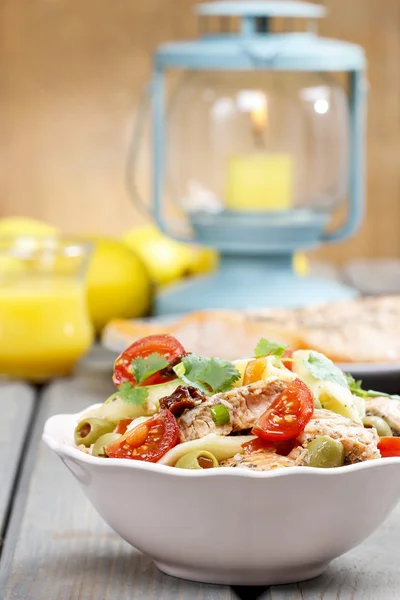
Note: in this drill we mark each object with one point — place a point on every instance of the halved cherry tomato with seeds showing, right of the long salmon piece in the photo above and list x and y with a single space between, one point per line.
288 415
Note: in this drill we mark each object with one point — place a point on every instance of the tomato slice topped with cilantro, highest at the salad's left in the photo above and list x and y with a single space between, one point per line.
166 345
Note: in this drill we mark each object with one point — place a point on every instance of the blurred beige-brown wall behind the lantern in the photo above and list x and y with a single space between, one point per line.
70 76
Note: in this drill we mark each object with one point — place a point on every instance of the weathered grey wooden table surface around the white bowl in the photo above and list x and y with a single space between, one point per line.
57 548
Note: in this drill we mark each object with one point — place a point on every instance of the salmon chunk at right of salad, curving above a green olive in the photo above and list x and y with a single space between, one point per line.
359 443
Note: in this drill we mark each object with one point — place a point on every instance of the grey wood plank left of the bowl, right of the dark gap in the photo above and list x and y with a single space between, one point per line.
62 550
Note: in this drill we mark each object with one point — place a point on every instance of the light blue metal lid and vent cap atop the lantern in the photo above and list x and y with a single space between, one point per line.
255 47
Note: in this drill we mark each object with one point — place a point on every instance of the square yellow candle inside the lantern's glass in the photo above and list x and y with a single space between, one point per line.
260 182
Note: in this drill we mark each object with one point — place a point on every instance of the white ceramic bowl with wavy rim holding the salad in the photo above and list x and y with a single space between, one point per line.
233 526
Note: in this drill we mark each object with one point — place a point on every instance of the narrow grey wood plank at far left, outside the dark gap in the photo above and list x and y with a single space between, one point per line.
17 403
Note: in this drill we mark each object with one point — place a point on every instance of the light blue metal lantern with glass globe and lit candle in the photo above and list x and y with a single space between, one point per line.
257 145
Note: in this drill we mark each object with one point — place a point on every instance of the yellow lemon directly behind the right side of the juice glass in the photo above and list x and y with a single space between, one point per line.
118 283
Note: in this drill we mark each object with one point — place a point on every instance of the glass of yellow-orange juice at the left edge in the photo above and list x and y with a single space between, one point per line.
44 320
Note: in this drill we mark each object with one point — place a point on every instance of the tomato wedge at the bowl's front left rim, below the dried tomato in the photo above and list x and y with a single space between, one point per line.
148 441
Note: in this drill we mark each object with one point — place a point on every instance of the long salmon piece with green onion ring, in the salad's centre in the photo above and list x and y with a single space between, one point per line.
245 405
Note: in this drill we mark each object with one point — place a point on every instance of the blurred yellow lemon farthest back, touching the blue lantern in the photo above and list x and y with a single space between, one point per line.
166 259
